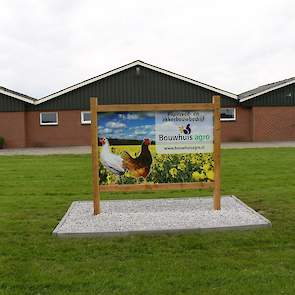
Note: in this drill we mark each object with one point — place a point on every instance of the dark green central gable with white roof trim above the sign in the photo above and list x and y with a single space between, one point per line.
136 83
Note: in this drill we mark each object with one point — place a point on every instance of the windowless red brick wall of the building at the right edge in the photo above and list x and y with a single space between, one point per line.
273 123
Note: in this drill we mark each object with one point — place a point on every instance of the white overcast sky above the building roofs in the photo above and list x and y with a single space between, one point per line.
235 45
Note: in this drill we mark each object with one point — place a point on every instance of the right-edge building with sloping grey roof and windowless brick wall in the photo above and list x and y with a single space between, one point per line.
271 111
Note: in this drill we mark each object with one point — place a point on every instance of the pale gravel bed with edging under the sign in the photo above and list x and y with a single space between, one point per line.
158 215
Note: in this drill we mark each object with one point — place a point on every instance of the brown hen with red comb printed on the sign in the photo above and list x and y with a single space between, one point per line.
139 166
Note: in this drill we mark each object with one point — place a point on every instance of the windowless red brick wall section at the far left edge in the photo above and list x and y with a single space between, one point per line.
12 128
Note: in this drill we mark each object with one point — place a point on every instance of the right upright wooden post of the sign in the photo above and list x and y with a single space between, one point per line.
217 141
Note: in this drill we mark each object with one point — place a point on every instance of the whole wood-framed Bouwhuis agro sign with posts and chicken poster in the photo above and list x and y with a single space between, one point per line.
153 147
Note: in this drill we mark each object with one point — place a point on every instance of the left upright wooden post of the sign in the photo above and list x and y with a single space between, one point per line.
95 156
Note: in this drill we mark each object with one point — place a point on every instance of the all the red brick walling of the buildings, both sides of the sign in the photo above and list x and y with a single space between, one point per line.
252 124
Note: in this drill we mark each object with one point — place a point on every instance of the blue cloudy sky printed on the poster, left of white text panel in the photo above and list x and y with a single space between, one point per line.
132 125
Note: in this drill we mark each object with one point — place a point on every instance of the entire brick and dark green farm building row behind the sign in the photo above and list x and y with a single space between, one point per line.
266 113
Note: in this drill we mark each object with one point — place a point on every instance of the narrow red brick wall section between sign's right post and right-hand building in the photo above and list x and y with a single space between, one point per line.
239 130
